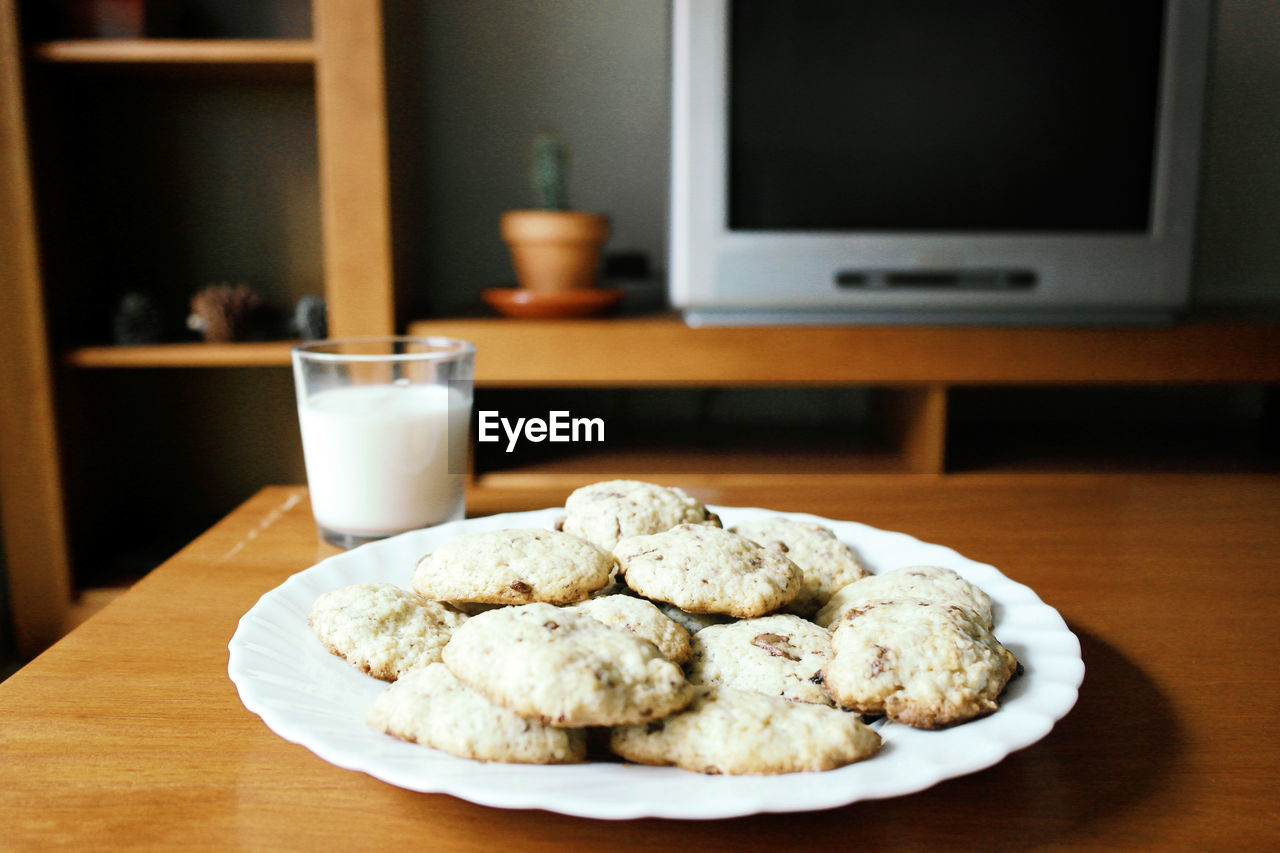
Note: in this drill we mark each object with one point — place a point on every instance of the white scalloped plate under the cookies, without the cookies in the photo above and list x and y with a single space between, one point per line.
313 699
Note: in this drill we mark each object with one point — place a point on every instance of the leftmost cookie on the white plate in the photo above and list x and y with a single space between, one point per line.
382 630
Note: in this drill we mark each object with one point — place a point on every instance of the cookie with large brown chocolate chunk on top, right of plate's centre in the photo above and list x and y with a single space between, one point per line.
772 655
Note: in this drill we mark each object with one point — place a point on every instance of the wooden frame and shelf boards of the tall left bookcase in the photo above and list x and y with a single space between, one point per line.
342 62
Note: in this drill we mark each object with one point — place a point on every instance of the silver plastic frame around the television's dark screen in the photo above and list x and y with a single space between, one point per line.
747 277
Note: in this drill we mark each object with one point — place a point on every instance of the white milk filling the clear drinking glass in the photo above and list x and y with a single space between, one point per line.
385 459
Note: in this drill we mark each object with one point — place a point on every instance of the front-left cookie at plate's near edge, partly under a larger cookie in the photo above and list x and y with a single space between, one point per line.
435 709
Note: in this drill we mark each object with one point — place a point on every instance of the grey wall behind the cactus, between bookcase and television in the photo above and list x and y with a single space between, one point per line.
470 84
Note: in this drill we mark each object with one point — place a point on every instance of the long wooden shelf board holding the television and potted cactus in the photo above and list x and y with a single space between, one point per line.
665 352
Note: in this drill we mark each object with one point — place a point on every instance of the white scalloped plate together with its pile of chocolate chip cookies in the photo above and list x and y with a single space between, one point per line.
637 654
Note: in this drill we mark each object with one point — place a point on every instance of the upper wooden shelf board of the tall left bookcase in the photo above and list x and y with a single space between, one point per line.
177 52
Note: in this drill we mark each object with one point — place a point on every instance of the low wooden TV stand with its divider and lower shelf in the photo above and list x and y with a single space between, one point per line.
913 375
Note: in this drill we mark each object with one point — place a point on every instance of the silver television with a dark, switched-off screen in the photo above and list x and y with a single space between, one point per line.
1005 162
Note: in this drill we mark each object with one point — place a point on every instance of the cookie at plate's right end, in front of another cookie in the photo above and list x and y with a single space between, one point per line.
918 663
